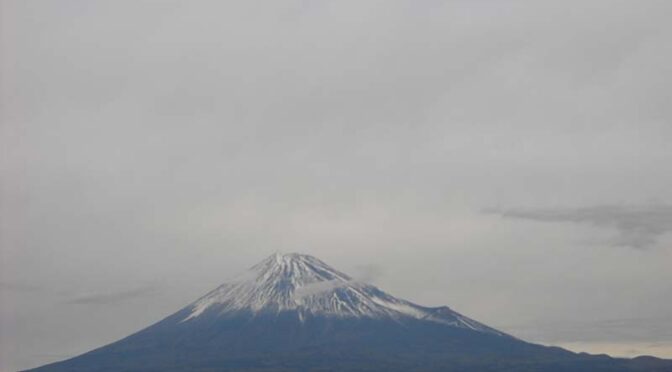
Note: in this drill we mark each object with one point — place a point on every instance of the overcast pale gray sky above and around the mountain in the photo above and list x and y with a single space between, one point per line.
510 159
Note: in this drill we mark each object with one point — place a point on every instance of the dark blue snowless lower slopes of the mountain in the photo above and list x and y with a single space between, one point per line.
284 343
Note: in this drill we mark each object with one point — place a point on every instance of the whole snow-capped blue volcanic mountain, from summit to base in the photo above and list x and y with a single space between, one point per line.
293 312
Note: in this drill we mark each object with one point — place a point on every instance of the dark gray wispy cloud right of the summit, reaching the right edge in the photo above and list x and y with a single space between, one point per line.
638 226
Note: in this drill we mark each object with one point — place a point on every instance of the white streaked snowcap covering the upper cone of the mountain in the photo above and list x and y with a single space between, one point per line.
302 283
